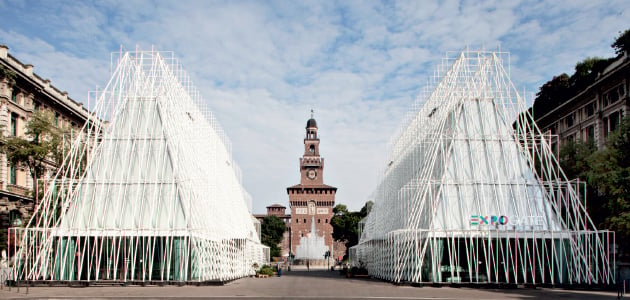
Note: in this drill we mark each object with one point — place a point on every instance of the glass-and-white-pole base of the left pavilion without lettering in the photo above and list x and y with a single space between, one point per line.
129 258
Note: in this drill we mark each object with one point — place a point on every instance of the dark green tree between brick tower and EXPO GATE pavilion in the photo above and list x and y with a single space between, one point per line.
346 224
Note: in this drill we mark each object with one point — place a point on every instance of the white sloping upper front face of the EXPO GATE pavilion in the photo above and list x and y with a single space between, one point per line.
486 172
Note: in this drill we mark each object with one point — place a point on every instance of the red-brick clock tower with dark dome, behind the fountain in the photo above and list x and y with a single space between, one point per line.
311 202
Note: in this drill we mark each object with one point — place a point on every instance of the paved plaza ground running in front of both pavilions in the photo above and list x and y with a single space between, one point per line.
300 284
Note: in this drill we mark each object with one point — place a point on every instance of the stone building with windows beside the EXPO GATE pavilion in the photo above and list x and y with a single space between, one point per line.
594 112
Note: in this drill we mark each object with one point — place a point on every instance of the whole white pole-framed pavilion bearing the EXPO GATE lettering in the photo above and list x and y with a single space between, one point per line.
473 193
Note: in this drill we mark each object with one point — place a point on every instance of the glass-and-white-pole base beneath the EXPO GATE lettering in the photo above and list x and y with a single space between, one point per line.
487 257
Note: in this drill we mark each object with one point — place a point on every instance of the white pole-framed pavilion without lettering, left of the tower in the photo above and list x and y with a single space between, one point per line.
150 195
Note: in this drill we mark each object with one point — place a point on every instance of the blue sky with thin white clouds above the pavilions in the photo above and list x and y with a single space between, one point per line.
262 65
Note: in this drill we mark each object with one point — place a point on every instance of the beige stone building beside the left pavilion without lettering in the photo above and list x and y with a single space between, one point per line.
20 98
